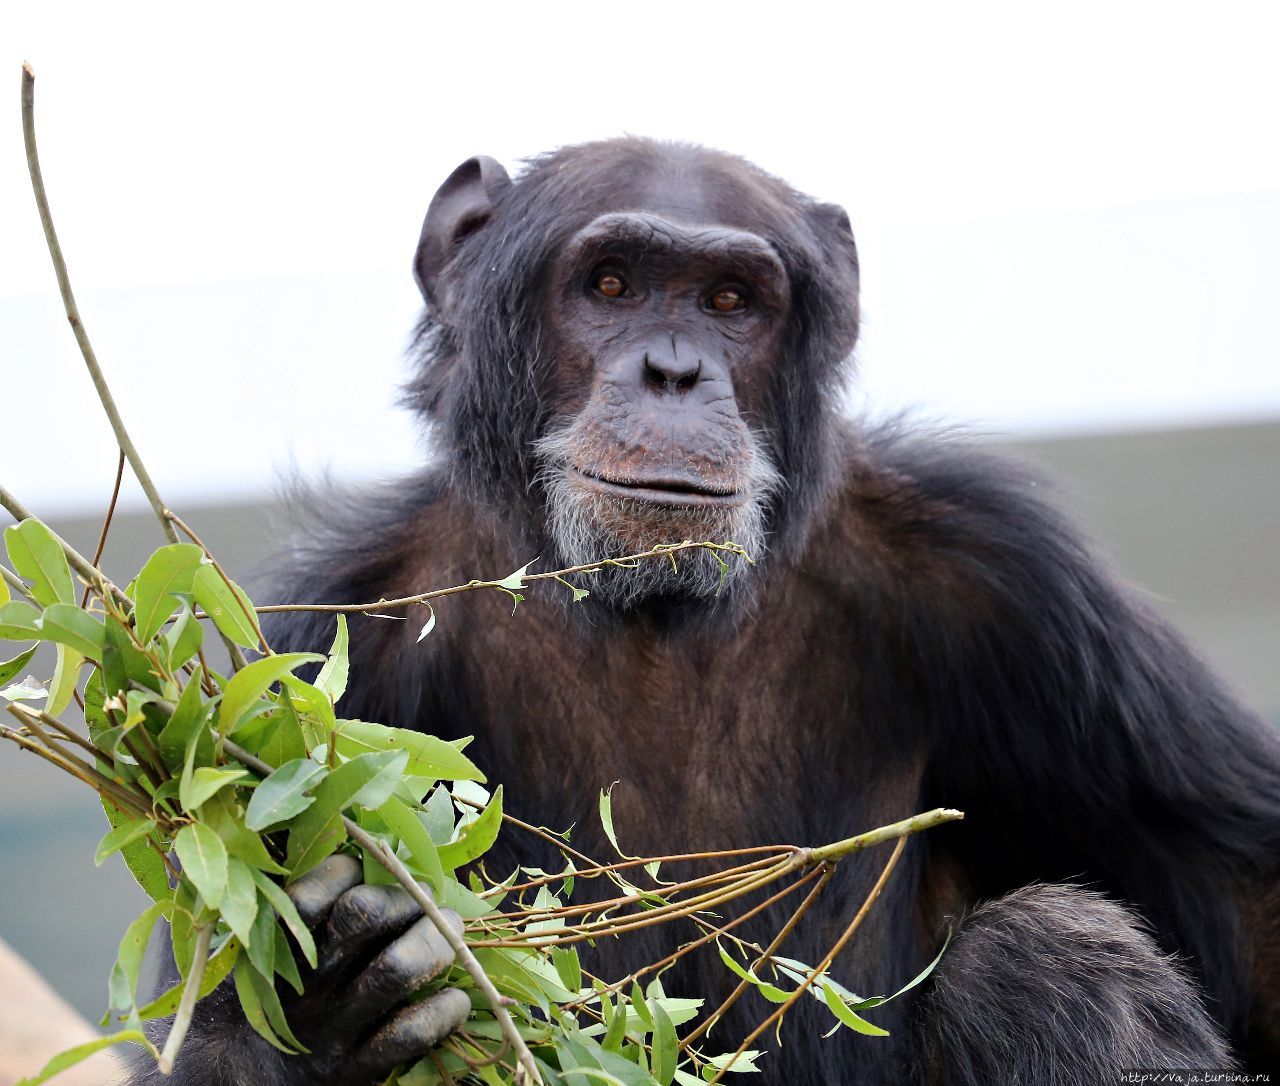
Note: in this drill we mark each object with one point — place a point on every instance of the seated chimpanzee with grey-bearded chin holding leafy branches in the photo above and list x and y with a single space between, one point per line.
637 343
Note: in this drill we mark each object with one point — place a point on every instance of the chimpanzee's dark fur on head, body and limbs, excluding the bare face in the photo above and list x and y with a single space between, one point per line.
925 631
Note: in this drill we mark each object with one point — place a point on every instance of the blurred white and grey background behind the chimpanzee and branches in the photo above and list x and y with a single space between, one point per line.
1069 223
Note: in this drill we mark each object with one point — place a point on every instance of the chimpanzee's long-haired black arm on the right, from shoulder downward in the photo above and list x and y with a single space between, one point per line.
1086 741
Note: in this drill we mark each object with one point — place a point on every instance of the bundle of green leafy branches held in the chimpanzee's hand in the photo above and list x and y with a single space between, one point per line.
223 790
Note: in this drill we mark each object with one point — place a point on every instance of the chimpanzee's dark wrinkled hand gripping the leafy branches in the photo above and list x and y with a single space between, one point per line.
376 950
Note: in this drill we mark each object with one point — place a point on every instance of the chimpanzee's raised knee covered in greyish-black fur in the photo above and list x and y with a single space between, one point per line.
1060 987
